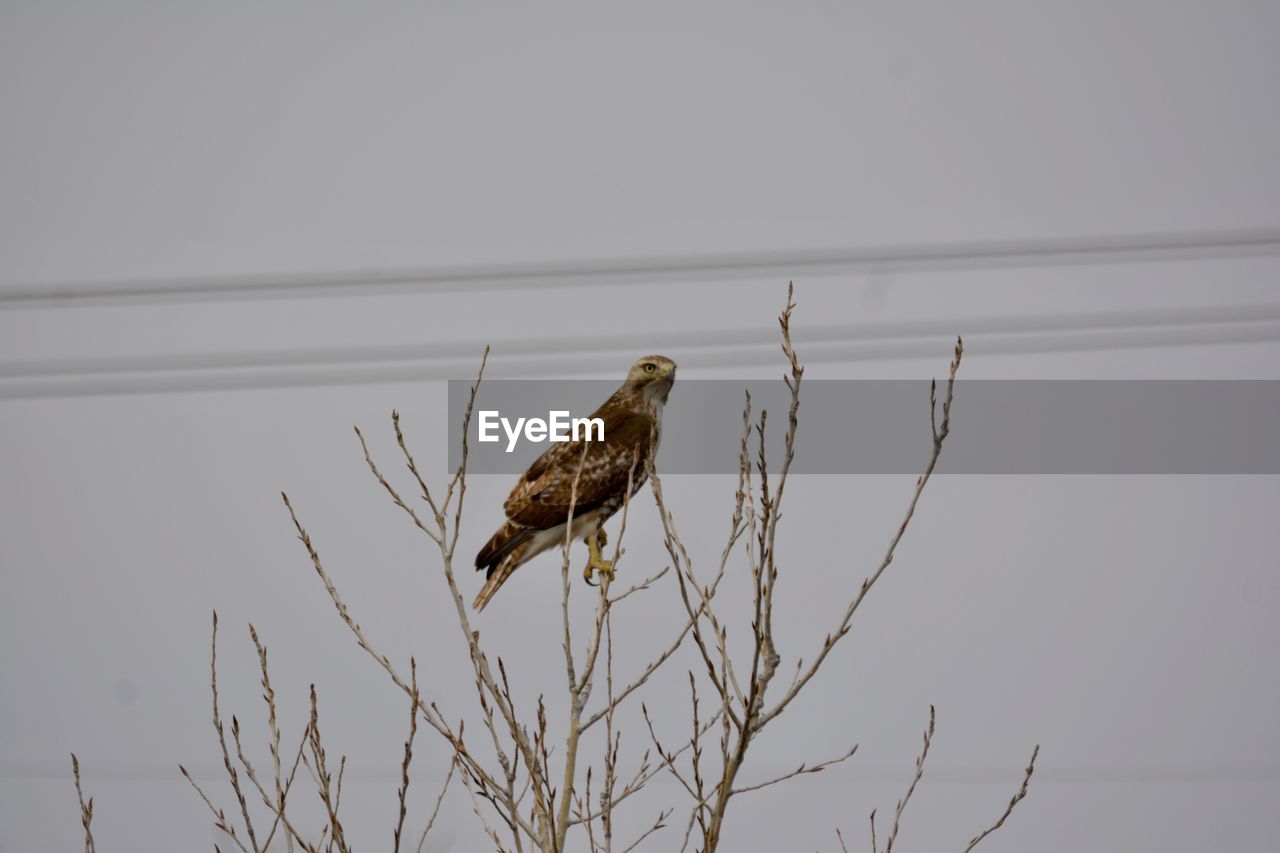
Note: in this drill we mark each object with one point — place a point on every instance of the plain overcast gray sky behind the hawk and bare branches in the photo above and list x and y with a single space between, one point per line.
230 232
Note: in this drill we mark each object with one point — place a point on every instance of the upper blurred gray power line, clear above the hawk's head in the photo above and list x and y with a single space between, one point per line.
657 268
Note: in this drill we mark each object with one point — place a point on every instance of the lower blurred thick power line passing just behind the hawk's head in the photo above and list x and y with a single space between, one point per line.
578 357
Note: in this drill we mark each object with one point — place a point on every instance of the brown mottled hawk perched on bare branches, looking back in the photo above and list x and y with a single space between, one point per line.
538 507
